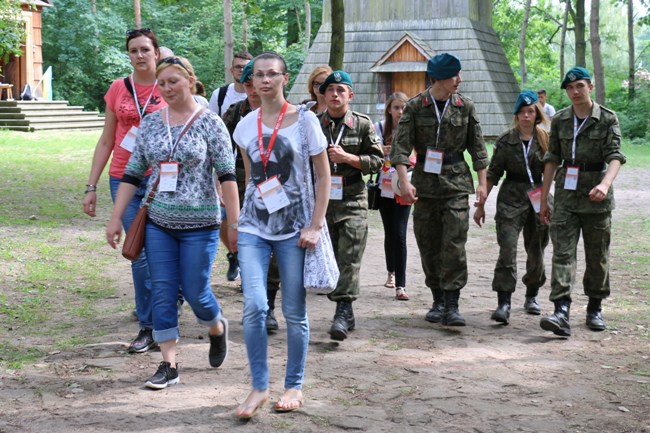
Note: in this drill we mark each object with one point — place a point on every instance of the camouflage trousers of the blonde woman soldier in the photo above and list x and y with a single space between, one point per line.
535 241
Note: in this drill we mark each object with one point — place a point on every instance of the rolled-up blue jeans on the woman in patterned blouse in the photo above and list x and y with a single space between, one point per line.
182 258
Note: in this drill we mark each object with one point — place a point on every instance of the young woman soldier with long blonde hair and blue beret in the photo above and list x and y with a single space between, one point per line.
519 152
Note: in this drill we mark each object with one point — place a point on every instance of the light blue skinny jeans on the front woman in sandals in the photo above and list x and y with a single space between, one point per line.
254 257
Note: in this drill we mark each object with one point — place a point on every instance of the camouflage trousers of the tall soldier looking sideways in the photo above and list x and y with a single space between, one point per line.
440 227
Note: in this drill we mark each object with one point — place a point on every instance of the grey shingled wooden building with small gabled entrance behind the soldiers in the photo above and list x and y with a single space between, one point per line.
388 43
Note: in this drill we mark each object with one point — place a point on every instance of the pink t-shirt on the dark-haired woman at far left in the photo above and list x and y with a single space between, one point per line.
120 101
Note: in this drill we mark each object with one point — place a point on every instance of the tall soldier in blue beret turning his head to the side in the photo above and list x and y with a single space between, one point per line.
440 124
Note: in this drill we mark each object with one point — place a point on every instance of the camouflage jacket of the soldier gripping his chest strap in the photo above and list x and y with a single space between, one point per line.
359 138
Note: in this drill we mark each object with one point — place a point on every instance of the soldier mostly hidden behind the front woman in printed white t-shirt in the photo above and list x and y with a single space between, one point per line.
231 118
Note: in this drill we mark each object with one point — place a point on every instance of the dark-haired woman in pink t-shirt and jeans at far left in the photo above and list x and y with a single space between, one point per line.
128 100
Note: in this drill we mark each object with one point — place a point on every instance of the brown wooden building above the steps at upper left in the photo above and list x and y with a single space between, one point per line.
27 68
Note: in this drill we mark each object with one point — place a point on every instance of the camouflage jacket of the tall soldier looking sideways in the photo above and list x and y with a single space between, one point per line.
460 130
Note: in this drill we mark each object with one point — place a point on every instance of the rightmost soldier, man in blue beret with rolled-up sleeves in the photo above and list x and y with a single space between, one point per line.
585 156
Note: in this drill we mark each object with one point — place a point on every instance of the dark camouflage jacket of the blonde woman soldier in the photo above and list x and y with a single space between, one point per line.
508 158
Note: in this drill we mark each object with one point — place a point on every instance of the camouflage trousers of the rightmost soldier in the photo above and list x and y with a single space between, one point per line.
565 234
